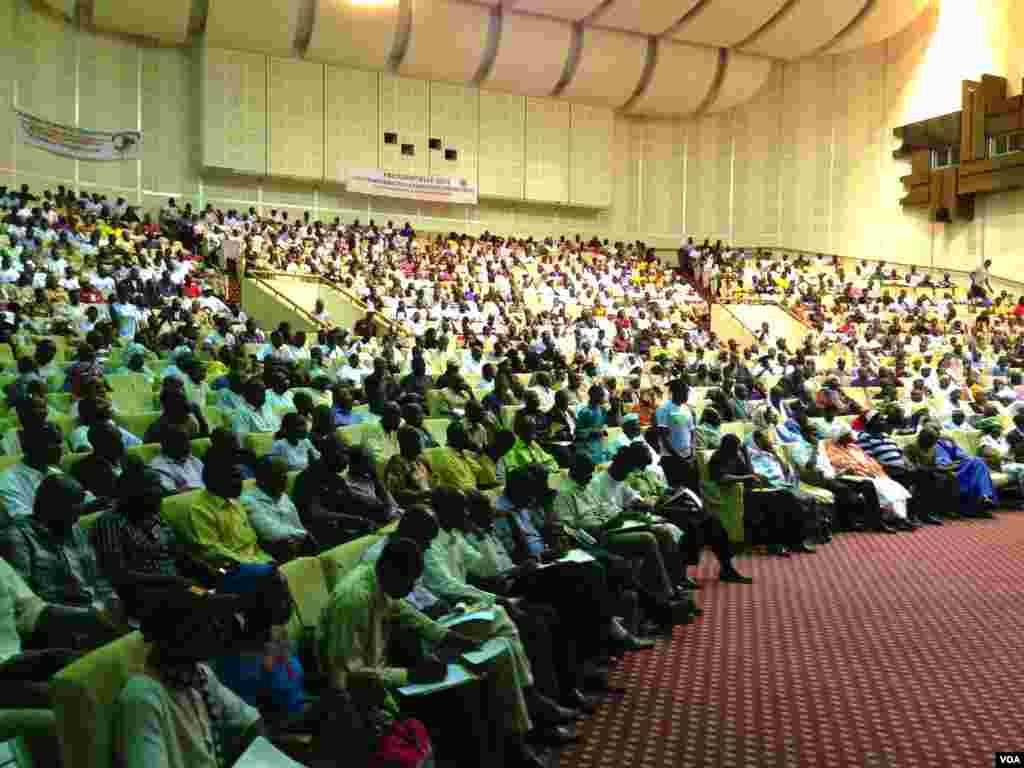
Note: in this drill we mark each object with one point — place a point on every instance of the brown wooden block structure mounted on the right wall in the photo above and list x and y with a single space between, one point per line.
950 193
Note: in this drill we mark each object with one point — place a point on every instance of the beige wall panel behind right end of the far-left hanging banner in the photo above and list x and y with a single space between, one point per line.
109 100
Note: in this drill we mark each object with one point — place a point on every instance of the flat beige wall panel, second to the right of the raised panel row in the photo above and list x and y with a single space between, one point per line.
661 208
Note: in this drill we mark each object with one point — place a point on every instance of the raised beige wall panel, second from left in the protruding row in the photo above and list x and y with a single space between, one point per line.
295 119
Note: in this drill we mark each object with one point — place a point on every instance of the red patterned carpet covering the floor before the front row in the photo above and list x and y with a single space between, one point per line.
884 652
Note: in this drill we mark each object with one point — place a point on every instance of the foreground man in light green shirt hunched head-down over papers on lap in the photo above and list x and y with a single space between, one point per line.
353 637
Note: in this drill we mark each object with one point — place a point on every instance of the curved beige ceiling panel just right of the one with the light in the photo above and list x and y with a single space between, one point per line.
447 41
